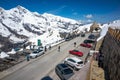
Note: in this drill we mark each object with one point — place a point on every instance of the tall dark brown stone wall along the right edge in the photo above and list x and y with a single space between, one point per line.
111 50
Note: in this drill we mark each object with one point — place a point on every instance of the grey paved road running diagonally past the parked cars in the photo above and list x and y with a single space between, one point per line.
44 65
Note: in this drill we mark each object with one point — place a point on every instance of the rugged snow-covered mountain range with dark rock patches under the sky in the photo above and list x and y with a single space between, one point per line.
19 24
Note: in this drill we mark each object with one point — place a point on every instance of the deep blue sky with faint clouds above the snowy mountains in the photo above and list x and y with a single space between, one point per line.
86 10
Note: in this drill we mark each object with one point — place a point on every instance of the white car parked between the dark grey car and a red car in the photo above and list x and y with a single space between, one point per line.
74 62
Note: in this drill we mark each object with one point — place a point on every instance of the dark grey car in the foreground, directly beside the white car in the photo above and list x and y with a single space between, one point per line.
63 71
